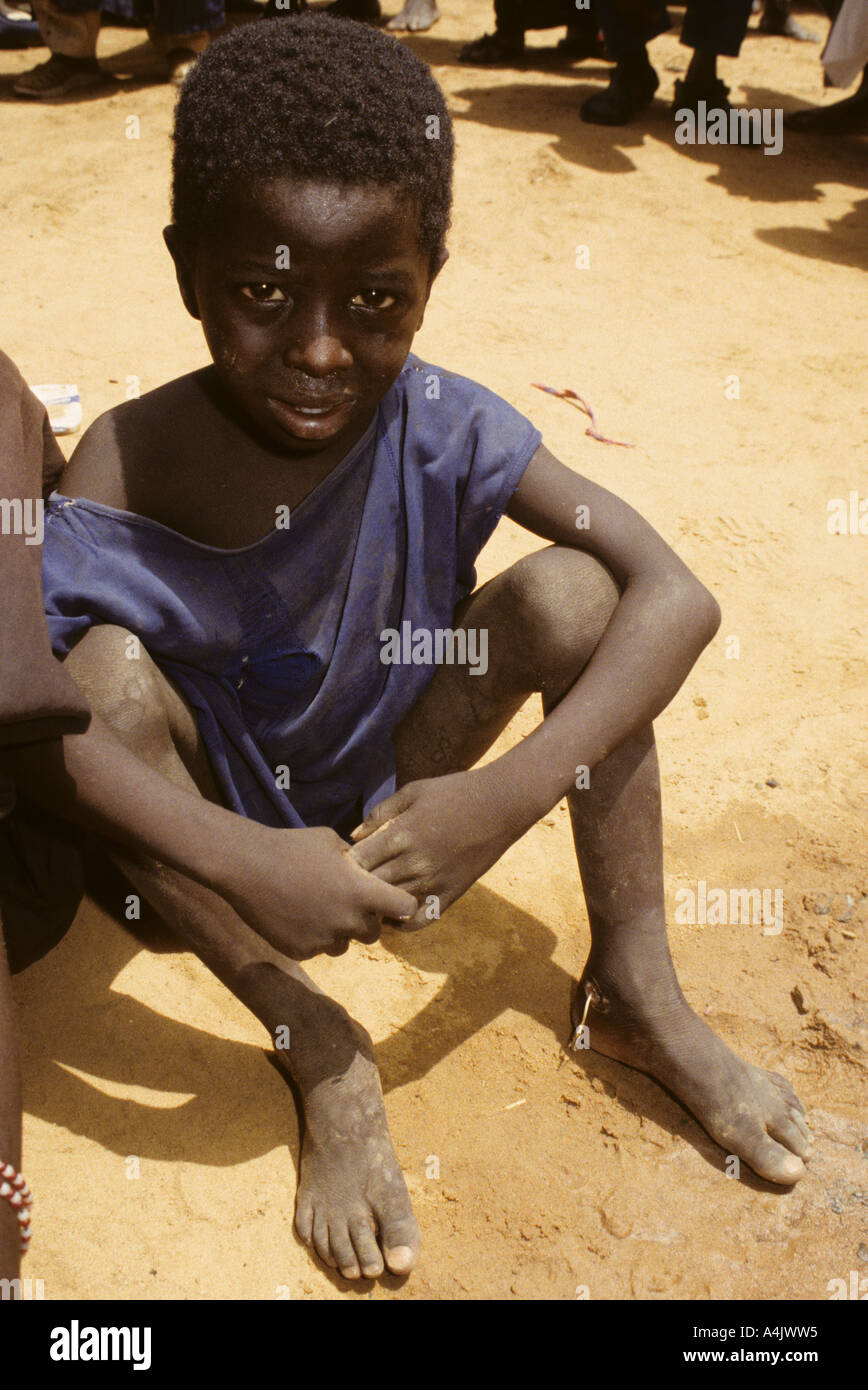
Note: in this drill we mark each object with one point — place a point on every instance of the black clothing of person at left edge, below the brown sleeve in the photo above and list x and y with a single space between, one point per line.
42 881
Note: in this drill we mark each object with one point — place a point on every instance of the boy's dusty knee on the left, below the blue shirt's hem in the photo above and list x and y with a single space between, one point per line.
120 680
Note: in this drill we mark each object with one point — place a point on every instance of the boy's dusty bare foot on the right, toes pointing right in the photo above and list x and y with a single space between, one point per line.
752 1114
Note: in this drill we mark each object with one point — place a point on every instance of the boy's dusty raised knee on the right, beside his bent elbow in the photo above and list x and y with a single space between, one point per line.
564 604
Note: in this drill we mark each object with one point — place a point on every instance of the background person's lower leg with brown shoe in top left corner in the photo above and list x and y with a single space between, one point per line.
70 30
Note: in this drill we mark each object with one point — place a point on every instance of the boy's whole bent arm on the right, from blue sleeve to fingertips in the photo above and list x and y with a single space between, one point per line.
440 835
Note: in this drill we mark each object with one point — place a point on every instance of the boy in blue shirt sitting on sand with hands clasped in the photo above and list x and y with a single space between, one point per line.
230 558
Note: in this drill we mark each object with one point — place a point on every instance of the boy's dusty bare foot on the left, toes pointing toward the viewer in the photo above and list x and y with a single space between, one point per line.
353 1203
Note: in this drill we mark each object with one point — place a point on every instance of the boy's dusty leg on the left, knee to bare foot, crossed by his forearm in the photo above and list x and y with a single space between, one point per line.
353 1203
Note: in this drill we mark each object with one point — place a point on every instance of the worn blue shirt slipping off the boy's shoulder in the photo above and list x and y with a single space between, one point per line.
278 646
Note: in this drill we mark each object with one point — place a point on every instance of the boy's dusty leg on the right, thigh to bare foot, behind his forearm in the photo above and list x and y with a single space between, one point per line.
545 618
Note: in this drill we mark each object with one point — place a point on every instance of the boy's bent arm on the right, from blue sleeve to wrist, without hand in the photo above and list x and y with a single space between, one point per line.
664 621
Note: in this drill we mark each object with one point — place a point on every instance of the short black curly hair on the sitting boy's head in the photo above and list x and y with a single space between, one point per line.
316 98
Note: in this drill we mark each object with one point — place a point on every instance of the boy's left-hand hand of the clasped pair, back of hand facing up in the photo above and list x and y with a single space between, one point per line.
304 892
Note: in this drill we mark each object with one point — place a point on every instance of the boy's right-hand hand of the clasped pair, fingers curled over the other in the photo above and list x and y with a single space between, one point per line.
437 837
